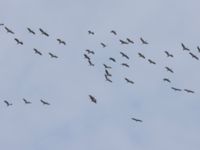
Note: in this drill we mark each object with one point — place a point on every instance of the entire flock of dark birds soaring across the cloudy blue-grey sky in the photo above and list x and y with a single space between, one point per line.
108 76
